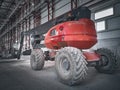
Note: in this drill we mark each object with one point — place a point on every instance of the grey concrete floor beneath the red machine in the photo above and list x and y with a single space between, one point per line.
17 75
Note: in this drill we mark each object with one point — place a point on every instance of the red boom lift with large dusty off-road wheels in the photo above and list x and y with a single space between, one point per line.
67 42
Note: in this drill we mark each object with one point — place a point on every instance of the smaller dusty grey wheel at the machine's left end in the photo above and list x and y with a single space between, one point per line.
37 59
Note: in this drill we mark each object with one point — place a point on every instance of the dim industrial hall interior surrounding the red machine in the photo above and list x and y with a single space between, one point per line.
20 19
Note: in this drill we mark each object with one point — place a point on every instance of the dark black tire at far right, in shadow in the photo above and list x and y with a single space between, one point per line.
110 59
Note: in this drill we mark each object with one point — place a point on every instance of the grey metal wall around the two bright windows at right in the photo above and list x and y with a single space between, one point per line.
110 37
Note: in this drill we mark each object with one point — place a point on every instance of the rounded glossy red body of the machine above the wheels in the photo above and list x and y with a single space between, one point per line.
80 34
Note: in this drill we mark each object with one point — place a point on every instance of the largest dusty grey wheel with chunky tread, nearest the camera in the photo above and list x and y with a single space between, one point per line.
77 66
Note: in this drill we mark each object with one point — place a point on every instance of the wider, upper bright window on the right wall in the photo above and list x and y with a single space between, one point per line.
104 13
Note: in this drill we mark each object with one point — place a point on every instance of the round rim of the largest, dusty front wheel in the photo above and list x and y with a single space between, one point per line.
65 65
